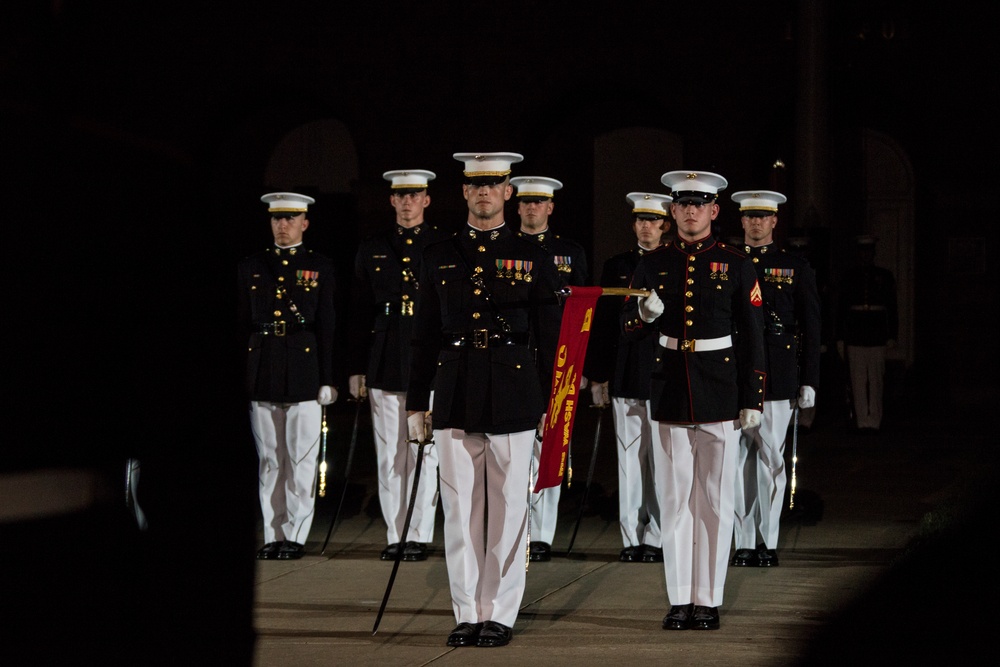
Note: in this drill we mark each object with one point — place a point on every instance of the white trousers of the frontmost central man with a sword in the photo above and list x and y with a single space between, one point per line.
484 491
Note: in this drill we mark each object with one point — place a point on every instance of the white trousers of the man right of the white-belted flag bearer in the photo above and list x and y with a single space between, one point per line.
761 477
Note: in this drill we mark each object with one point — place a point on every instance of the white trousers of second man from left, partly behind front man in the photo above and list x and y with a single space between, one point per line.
397 461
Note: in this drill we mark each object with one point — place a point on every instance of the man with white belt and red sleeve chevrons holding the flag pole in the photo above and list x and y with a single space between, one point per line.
707 383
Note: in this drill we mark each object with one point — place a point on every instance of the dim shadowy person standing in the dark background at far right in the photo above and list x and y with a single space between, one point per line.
868 322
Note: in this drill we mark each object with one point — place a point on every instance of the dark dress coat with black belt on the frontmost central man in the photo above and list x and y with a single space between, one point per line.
500 388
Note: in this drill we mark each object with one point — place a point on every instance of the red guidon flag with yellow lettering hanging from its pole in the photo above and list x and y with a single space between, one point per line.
578 314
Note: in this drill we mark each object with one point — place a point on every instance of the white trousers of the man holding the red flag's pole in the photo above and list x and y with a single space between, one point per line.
695 483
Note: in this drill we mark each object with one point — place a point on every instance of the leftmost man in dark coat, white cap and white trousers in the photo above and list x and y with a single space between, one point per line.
286 312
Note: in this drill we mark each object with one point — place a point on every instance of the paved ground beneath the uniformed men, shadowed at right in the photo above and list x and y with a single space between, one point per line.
877 564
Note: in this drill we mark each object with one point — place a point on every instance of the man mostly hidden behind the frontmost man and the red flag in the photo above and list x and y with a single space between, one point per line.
534 206
